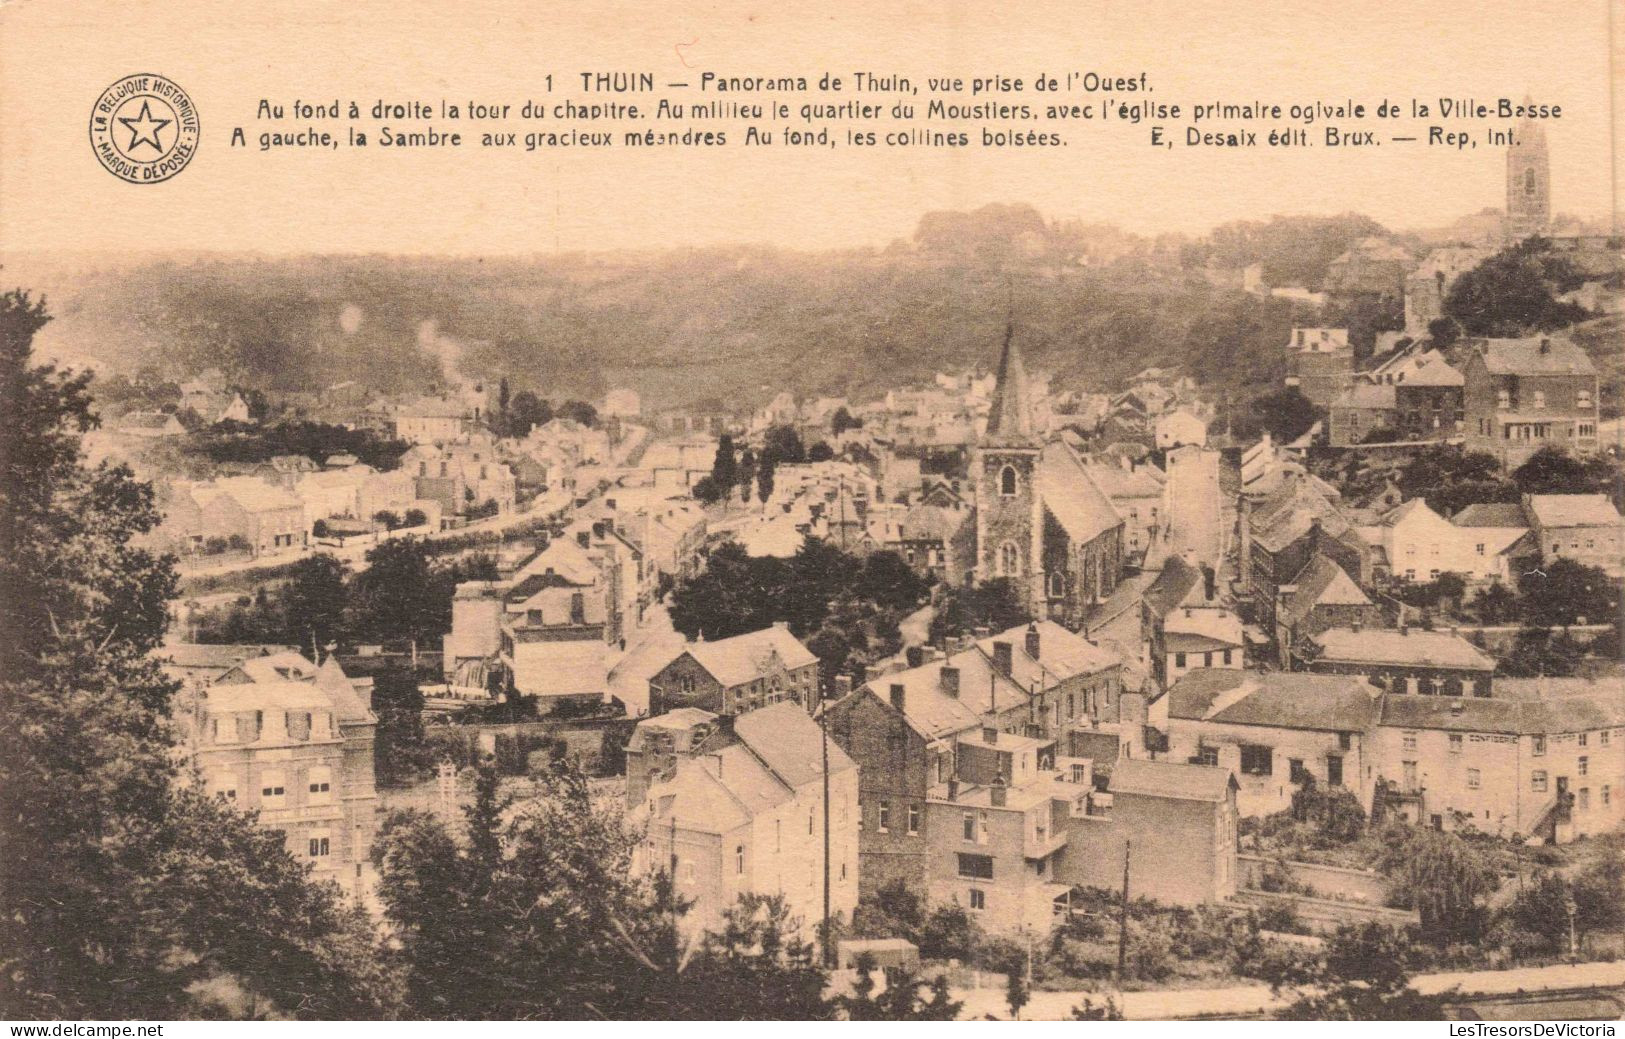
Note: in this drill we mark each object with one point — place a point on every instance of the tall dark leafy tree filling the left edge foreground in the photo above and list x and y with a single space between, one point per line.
121 885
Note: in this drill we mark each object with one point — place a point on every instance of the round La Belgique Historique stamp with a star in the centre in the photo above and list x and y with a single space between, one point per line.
145 129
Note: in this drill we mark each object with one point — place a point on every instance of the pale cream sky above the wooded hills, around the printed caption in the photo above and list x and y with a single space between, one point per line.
56 56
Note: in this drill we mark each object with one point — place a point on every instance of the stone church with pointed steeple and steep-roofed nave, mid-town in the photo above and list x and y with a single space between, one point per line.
1042 521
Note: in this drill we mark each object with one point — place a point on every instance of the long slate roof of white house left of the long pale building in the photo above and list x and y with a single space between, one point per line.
1276 700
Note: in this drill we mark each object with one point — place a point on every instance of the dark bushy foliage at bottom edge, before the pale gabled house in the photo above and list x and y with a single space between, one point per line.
539 916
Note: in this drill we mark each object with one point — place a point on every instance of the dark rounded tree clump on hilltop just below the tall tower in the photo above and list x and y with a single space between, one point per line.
1515 293
